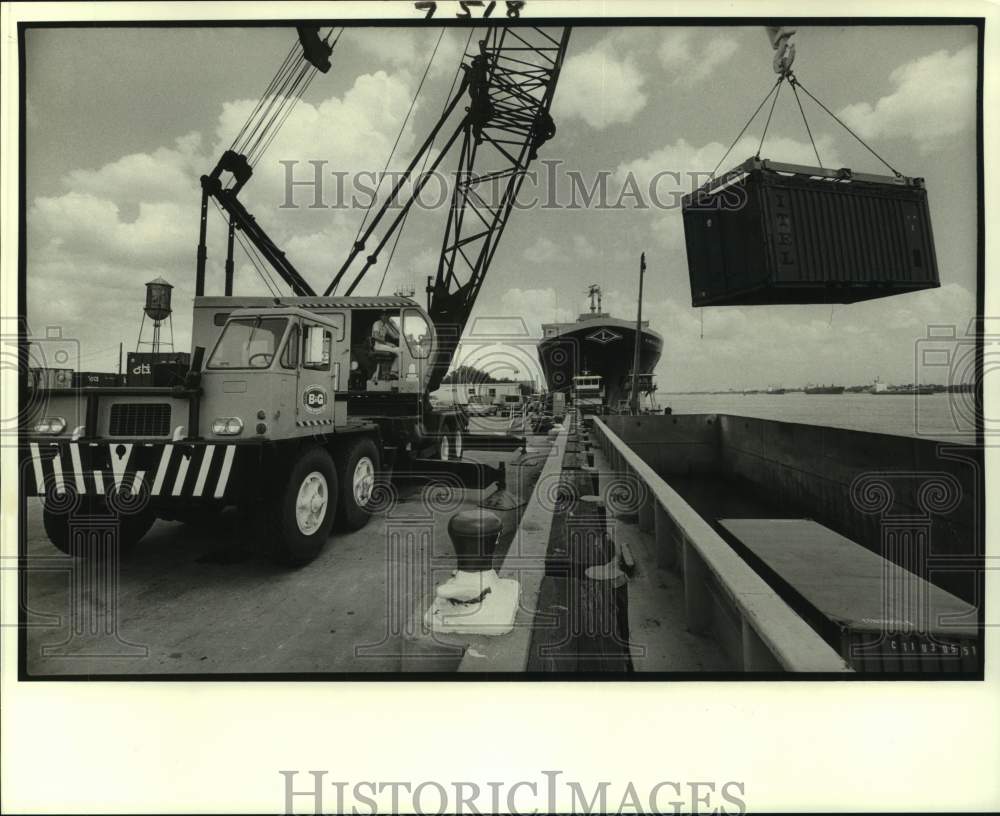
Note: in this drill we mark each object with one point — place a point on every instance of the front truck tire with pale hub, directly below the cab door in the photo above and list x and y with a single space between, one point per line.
305 509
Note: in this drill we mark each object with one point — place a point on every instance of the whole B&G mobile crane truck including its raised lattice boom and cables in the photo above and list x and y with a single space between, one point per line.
296 405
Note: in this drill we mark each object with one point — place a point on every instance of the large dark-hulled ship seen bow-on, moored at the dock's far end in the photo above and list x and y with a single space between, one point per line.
597 343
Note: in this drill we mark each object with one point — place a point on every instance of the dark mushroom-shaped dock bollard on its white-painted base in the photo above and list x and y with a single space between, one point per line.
474 600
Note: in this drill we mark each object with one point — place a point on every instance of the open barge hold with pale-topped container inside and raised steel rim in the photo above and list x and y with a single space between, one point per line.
864 553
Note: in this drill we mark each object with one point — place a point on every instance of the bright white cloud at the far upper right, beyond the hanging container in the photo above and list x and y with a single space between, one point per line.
933 101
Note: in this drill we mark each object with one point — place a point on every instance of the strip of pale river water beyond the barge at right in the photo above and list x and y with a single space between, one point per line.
948 417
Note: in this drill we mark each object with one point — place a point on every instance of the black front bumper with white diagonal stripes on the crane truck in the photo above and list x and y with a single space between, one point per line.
176 469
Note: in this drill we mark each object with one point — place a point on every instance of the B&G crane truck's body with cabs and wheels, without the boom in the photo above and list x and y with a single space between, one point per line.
294 409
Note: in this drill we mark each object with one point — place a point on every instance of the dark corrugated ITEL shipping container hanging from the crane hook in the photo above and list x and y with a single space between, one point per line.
770 233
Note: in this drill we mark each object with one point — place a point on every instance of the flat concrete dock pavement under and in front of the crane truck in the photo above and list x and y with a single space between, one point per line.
192 601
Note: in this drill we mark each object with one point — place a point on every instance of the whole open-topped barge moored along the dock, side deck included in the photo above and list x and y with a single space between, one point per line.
750 545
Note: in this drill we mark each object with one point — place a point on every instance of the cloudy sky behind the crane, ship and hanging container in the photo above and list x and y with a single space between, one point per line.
122 122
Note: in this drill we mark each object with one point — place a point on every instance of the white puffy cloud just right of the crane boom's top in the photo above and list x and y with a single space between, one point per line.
600 87
